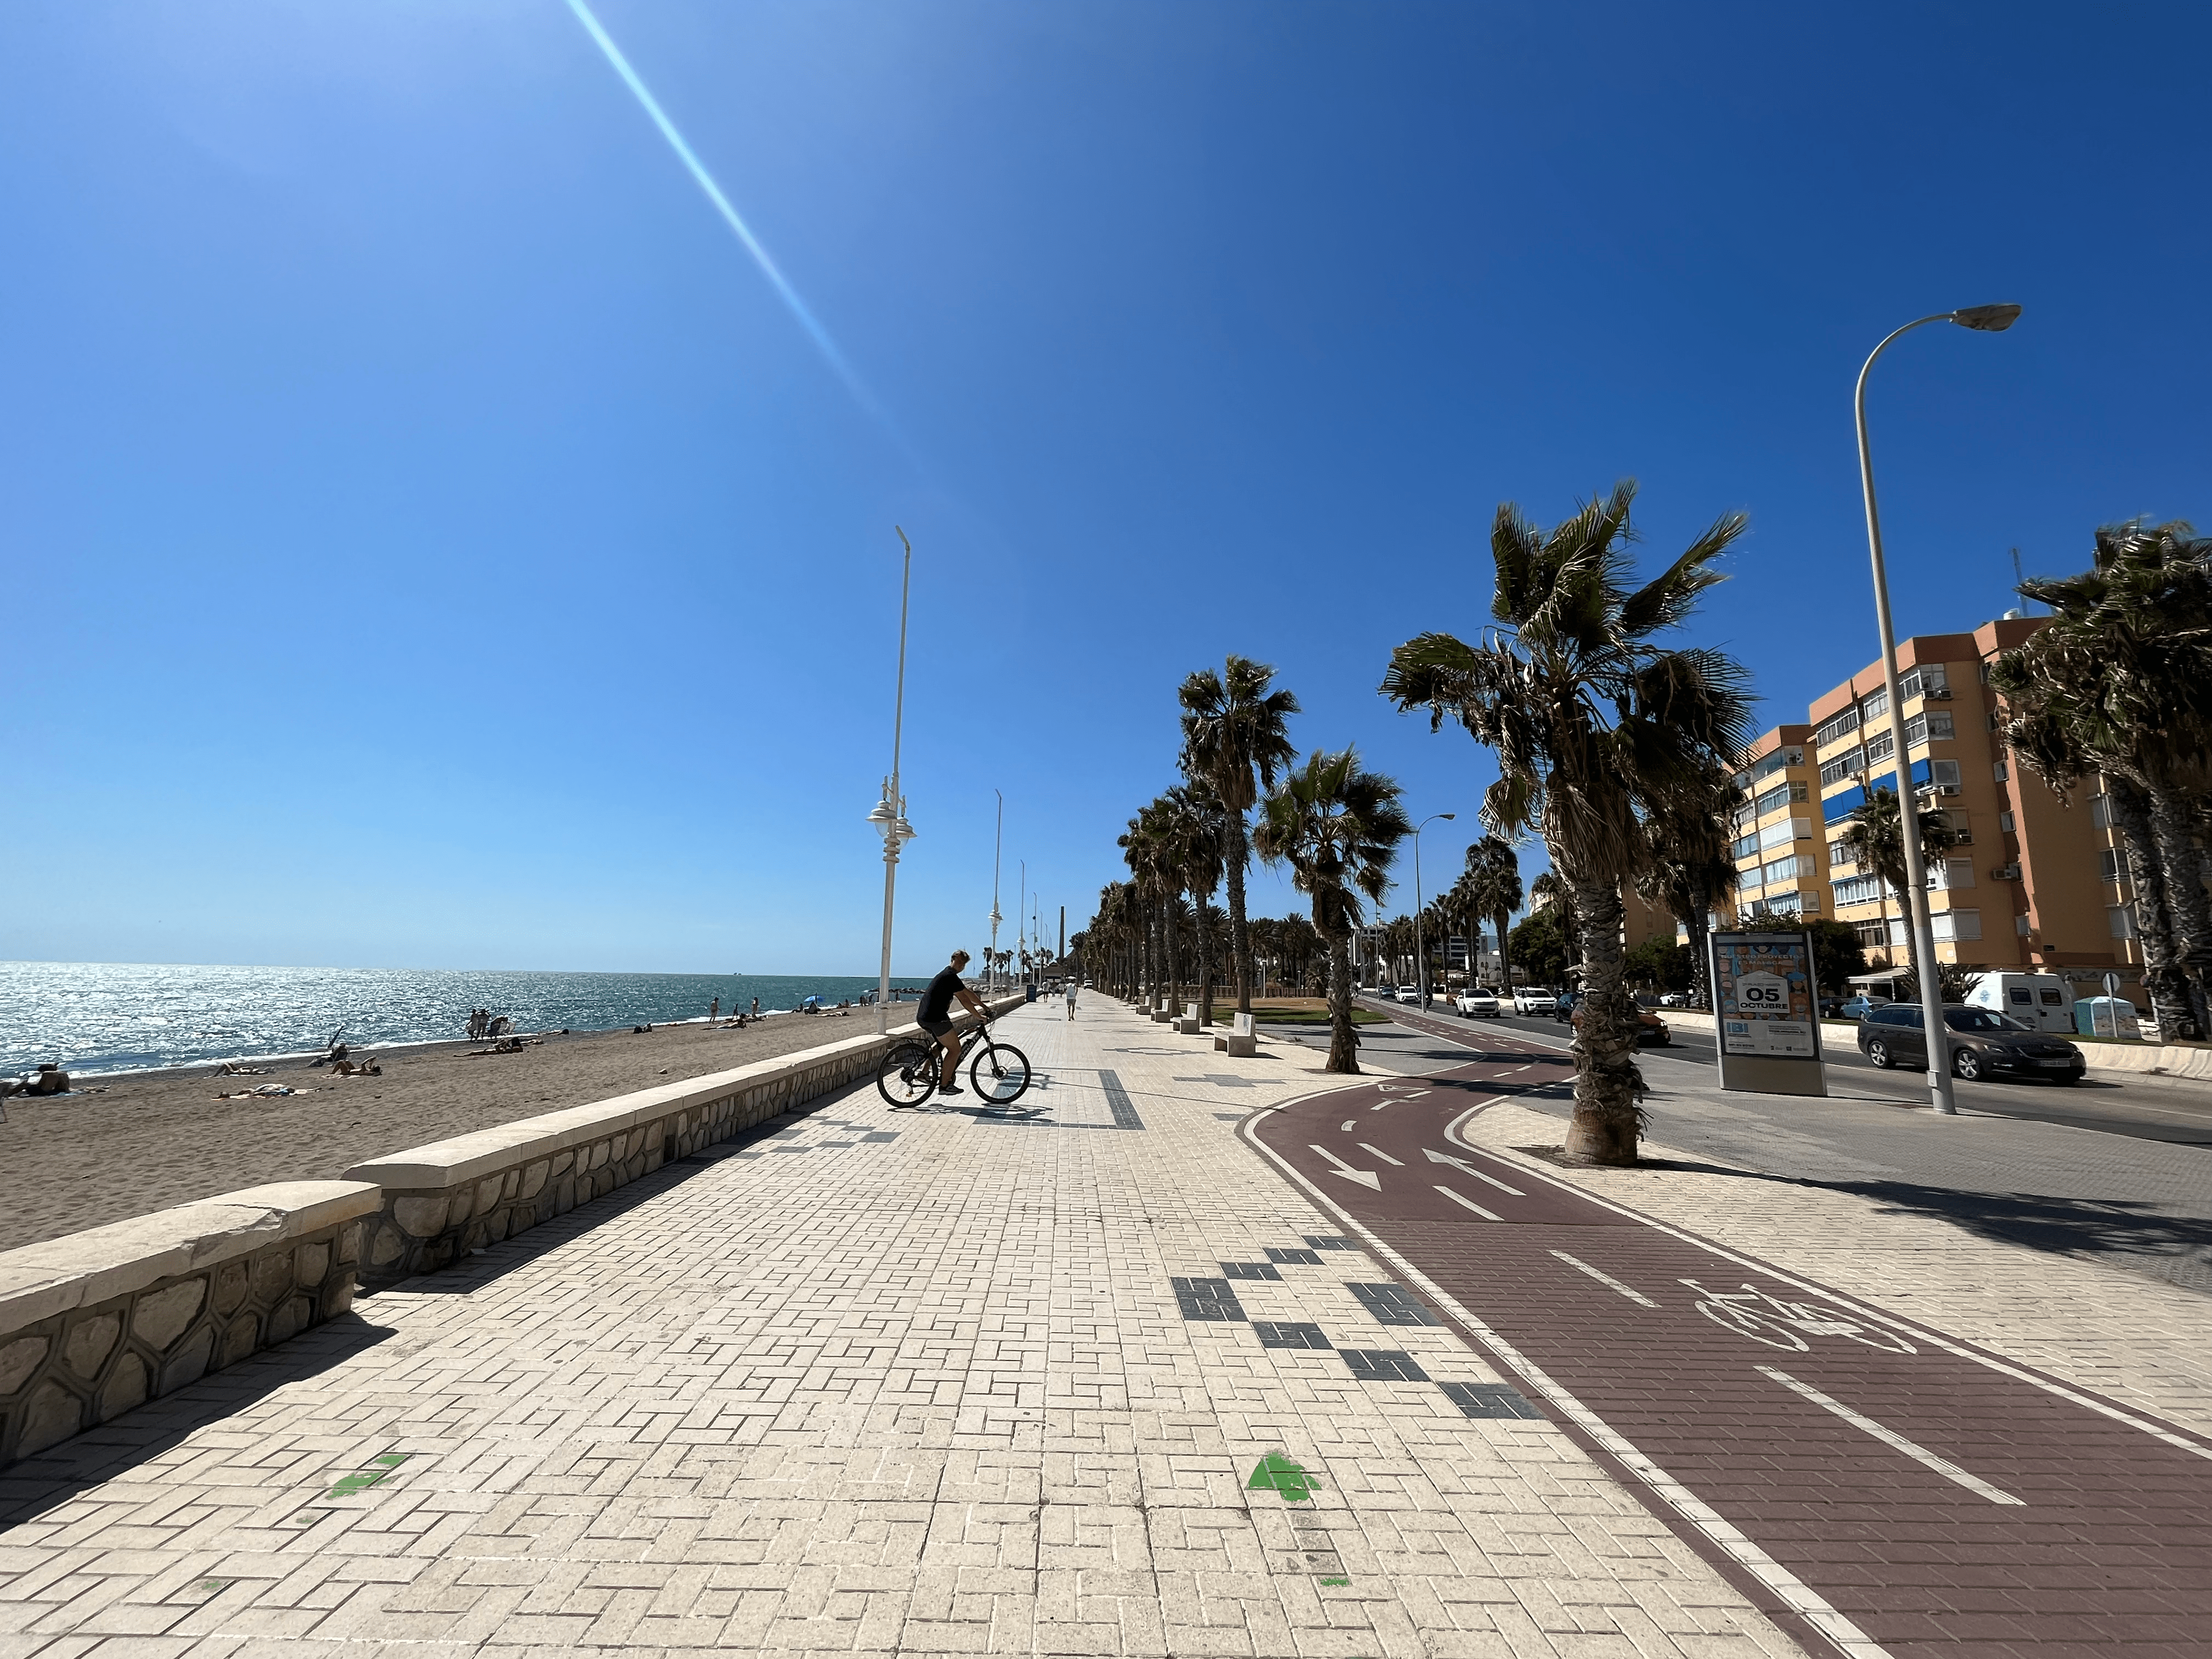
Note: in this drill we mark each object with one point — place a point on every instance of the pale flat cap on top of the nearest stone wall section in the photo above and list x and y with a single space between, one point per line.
101 1264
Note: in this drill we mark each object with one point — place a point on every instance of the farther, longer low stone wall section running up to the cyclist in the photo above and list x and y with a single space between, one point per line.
452 1198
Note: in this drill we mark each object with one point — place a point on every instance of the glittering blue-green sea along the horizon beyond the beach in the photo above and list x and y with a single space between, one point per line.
138 1016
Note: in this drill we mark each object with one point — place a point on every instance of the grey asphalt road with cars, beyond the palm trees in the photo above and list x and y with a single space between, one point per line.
2147 1109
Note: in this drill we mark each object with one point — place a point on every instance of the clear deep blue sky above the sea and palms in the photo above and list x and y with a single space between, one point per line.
430 541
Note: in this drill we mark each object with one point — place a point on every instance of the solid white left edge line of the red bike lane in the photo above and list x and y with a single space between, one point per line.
1731 1538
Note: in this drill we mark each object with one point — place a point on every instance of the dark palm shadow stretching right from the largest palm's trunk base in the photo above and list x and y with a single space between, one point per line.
2085 1229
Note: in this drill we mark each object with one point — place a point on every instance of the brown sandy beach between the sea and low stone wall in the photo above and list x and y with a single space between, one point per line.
145 1142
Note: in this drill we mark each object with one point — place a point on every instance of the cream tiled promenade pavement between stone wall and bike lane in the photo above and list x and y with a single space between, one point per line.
879 1384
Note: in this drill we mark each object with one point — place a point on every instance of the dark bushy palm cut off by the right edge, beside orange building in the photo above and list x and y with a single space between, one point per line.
2120 682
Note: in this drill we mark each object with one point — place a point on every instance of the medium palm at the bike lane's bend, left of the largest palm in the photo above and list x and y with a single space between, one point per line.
1339 828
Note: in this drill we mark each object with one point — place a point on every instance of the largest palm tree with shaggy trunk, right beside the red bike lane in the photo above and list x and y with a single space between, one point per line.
1594 727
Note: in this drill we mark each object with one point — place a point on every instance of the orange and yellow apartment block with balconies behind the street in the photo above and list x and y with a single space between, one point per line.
2036 886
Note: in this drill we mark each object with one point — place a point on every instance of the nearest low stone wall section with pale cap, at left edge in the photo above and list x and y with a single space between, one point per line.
107 1319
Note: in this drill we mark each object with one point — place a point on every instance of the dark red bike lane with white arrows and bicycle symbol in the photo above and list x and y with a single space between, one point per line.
1879 1488
